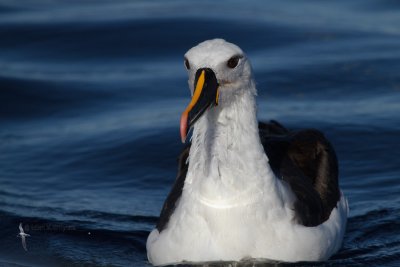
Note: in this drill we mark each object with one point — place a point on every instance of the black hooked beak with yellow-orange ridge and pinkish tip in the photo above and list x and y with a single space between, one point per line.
205 95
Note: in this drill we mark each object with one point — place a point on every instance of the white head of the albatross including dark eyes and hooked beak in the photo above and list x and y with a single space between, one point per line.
218 71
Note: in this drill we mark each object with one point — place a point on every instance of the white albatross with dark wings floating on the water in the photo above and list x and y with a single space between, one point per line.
245 189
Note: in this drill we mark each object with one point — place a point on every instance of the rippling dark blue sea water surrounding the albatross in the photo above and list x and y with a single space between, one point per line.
91 94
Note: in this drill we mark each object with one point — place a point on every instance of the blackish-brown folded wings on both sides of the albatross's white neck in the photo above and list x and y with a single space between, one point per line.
304 159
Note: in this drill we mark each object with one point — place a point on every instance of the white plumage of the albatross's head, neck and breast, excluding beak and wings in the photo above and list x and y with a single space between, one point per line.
232 206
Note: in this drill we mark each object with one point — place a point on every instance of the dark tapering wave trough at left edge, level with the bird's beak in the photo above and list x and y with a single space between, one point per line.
27 99
